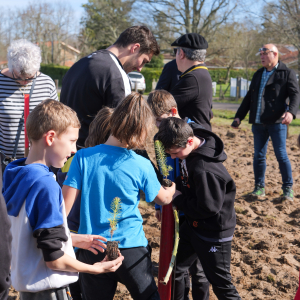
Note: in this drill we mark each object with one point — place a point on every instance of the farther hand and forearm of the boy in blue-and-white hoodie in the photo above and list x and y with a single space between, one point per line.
88 242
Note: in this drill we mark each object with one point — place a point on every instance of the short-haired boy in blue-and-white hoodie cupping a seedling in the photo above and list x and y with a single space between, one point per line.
43 260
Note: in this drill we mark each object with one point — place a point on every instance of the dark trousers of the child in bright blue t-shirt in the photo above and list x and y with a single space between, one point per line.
135 273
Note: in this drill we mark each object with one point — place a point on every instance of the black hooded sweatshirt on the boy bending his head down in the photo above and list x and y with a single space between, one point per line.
208 191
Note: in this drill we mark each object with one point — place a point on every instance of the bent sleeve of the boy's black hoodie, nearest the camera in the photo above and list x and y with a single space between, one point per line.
210 194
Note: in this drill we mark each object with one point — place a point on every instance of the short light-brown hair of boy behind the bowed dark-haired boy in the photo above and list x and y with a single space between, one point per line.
161 102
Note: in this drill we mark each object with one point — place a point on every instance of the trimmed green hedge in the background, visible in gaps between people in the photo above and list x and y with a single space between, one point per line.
217 75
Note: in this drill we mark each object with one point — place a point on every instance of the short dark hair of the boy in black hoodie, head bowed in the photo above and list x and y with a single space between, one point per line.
174 133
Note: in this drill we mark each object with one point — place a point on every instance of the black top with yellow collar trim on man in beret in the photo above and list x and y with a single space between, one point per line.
193 94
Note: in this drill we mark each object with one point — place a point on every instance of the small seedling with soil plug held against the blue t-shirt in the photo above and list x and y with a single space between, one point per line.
112 246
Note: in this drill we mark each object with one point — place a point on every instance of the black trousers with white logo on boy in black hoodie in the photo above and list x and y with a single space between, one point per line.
215 259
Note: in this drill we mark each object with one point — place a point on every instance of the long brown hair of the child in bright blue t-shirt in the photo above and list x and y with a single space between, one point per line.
132 121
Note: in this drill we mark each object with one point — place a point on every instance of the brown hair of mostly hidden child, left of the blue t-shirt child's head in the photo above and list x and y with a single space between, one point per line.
99 130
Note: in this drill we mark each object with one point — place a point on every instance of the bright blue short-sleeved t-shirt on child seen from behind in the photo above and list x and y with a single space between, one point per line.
104 172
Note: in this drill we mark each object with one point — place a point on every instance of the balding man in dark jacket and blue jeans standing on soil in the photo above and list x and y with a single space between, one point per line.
270 88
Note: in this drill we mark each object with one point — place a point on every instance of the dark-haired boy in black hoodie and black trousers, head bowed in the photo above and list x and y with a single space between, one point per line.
206 194
